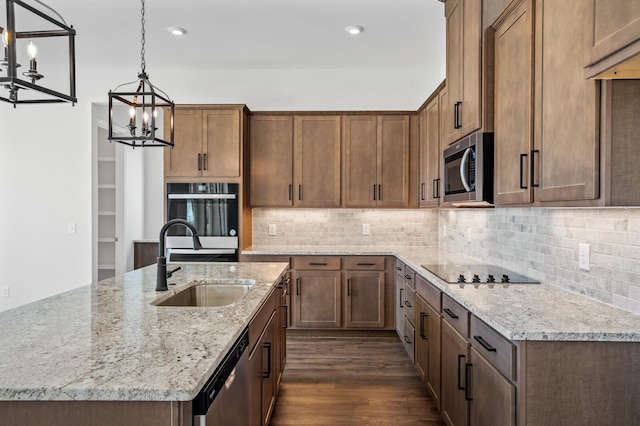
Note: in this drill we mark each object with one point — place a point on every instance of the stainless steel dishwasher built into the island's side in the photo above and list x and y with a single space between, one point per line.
224 398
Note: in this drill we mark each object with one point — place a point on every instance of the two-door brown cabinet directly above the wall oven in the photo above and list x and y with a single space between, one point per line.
207 142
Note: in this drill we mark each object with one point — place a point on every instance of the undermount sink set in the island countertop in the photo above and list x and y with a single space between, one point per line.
208 294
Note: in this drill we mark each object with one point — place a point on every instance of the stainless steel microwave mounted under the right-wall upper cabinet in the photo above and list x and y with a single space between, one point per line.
468 171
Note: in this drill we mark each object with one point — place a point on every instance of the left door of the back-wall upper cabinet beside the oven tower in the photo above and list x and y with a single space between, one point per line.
271 161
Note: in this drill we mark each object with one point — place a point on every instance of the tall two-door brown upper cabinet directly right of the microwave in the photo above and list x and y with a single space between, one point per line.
546 115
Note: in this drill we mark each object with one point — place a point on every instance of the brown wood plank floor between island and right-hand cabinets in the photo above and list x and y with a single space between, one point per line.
351 381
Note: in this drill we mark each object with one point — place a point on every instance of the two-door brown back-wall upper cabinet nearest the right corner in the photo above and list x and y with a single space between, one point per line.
376 161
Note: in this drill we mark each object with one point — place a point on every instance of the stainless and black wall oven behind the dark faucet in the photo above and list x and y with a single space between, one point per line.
213 209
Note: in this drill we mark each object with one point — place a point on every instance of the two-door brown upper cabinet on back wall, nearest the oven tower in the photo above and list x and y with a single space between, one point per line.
295 161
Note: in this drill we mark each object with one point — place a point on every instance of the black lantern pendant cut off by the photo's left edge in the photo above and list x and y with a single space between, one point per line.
26 31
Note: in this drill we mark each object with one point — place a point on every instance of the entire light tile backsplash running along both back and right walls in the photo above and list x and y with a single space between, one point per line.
539 242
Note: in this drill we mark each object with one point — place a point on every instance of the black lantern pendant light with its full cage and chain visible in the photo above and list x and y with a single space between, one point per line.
141 101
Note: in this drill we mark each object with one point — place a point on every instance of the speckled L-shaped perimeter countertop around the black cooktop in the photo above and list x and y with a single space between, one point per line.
519 312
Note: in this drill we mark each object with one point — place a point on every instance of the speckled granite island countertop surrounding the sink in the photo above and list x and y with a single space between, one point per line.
106 341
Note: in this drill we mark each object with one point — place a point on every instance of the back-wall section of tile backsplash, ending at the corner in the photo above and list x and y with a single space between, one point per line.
331 227
